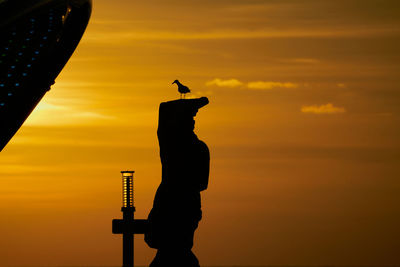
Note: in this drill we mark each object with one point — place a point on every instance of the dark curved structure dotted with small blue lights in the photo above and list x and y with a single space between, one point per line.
37 39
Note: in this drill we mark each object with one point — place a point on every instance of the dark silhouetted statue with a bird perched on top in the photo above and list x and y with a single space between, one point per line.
185 163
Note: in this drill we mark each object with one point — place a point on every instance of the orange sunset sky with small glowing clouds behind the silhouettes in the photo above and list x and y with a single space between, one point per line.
303 128
